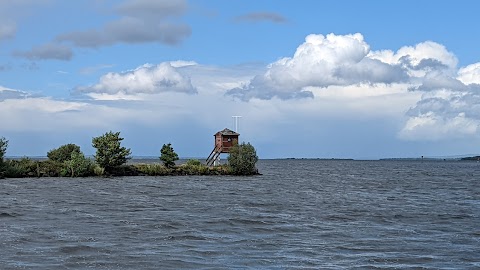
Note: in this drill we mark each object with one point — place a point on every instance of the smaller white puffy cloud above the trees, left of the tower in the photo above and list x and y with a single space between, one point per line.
146 79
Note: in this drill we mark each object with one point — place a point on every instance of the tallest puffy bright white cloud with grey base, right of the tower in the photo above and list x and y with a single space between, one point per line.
321 61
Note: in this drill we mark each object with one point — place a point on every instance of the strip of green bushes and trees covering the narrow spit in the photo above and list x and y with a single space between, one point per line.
111 160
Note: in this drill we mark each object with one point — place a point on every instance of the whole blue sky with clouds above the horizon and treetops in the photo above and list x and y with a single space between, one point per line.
311 79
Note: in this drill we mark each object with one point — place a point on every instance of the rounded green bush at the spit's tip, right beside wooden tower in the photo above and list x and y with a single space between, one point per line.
242 159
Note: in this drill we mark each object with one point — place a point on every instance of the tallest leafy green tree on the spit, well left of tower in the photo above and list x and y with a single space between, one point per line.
110 153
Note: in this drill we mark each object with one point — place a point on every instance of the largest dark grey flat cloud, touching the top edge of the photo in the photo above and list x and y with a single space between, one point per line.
140 21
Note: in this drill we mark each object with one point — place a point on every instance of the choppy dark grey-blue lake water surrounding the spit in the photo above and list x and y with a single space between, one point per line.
300 214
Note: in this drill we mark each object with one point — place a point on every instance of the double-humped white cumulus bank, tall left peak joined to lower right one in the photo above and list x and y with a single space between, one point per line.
343 60
